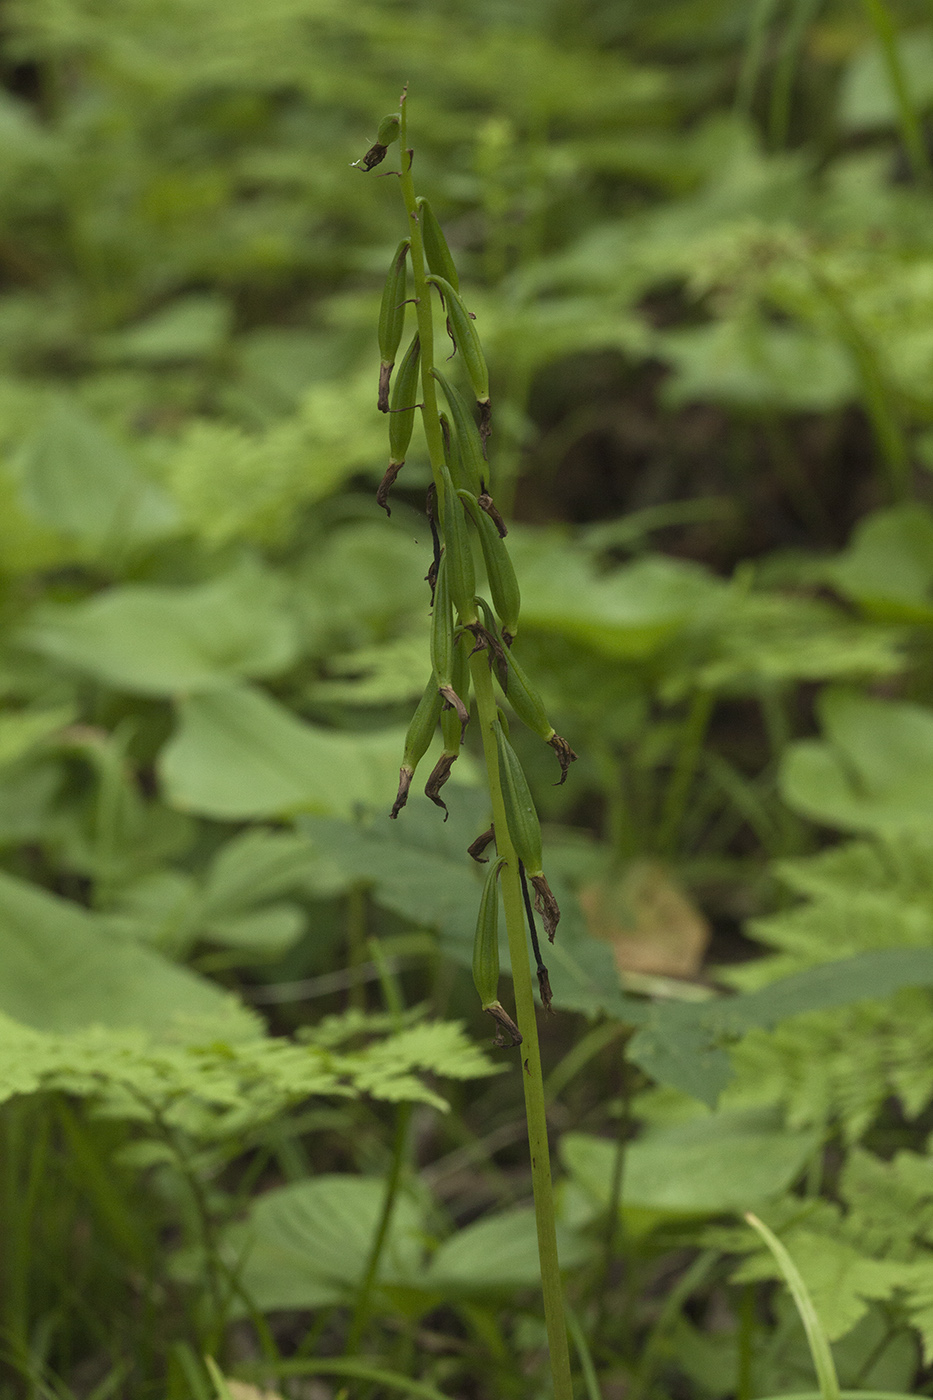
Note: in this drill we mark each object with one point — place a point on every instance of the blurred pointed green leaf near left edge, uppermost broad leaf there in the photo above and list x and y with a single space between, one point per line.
76 479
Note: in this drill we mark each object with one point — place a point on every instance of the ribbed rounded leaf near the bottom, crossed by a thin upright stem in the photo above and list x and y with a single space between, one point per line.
307 1245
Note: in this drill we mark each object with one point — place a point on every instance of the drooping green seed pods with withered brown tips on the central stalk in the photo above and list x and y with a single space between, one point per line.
462 510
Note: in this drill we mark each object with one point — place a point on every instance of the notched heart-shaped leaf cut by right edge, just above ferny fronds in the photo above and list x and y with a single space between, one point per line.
873 772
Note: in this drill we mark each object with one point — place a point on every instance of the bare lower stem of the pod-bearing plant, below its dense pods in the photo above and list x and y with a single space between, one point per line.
530 1053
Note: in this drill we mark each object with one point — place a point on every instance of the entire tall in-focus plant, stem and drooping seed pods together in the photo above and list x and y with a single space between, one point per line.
460 472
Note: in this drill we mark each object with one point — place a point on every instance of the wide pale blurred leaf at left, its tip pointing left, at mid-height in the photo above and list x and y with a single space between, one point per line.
162 642
